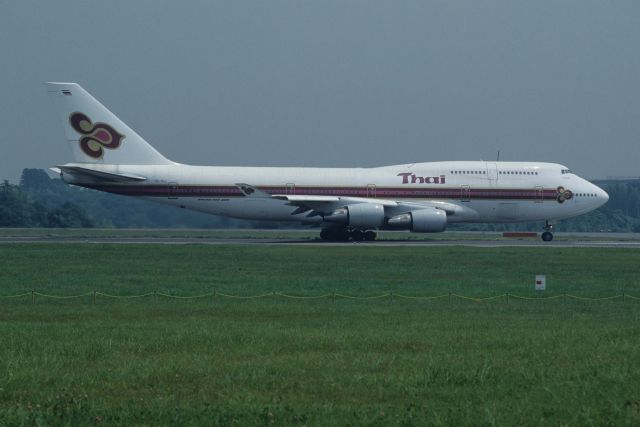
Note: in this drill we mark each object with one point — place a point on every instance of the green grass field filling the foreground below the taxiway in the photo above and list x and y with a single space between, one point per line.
275 361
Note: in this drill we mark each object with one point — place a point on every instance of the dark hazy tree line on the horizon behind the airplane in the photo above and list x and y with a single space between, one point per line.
40 201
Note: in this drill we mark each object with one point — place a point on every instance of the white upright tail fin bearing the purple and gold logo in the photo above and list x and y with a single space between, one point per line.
95 133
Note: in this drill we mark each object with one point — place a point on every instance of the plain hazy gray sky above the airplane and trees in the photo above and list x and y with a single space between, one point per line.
333 83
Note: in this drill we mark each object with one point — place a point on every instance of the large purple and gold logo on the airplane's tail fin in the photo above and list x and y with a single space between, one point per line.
96 136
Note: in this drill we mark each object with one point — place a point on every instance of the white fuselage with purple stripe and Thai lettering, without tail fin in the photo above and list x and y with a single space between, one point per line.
481 191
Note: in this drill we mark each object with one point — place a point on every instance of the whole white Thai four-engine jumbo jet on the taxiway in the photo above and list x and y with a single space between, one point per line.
348 204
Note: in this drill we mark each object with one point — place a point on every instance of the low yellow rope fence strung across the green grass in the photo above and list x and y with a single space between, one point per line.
333 296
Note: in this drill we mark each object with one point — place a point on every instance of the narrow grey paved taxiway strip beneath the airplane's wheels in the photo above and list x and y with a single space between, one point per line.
613 243
